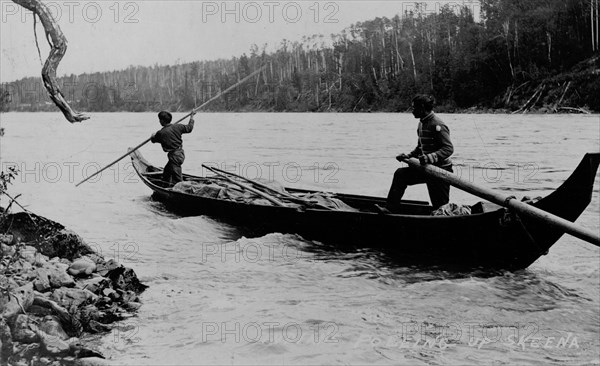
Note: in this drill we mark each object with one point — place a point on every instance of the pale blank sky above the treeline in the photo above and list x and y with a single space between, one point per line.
106 35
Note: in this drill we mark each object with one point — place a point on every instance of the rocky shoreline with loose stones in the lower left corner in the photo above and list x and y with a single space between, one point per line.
54 289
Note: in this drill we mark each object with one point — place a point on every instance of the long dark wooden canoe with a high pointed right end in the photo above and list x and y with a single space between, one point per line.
494 239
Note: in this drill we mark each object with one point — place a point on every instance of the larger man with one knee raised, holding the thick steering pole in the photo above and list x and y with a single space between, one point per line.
433 147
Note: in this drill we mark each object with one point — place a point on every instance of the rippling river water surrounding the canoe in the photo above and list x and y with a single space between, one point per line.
218 298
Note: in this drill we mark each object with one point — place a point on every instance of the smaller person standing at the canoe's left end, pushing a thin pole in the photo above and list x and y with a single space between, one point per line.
170 139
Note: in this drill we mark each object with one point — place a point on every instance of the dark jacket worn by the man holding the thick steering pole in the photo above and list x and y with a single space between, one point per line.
434 141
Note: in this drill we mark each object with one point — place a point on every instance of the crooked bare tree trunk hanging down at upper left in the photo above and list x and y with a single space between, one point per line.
58 44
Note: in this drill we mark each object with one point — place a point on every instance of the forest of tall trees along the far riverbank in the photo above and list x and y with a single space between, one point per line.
519 56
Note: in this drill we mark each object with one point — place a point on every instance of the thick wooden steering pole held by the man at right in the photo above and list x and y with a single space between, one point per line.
497 198
